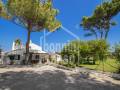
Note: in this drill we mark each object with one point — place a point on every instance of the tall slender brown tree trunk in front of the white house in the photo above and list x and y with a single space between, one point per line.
27 46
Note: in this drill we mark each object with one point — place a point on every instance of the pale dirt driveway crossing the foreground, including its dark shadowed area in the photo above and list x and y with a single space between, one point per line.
51 78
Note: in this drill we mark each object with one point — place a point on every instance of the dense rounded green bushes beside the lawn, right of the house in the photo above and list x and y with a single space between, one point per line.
86 50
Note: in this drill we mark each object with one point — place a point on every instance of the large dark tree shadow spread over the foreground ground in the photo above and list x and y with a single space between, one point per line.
51 80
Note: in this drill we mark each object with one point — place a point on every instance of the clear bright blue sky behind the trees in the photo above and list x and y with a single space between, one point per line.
71 13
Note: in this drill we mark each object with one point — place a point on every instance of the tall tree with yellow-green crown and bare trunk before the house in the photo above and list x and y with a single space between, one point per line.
34 15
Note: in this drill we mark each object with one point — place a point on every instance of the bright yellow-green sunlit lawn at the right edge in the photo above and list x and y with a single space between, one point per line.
110 65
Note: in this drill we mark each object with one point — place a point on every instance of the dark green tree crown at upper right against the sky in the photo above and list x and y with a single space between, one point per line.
100 22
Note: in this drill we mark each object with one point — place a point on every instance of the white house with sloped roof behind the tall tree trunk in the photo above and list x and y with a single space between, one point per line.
37 55
